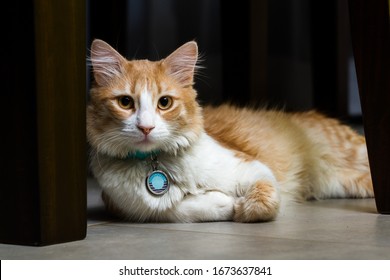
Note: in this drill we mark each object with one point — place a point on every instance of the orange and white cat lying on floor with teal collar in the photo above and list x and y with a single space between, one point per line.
160 157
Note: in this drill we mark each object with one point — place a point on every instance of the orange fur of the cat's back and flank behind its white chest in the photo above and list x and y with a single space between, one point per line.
298 147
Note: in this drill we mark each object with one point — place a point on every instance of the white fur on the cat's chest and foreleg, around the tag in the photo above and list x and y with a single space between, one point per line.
206 180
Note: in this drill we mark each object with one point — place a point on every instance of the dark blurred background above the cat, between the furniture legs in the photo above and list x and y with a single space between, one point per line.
291 54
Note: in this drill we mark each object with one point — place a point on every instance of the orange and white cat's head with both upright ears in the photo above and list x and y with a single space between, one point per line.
142 105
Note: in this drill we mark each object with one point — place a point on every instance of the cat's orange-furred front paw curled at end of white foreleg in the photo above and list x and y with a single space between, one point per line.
260 204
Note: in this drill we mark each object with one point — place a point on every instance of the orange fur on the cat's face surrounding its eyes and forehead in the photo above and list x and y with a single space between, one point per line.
103 110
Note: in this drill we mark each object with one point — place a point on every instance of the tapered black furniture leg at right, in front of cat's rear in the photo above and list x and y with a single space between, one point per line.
371 43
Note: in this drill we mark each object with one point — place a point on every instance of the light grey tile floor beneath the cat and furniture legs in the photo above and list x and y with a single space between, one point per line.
331 229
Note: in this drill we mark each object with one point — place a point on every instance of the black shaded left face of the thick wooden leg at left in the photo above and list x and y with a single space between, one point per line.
19 190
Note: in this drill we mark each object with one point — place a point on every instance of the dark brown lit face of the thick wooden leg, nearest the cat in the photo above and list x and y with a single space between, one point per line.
61 72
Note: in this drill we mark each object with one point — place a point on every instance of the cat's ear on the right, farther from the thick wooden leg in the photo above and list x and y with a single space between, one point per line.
181 63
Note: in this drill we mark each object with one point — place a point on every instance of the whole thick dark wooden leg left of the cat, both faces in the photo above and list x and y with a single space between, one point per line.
43 192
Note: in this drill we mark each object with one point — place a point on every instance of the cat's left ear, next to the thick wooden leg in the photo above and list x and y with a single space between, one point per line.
106 62
